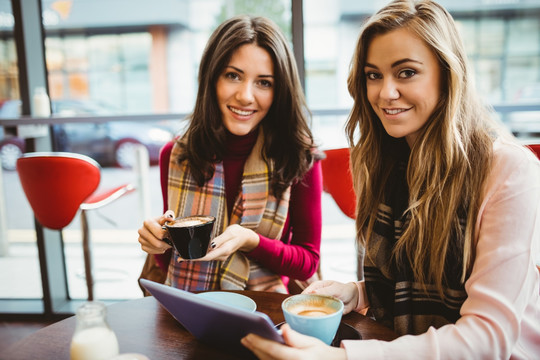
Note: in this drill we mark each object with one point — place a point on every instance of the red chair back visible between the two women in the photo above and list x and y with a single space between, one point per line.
337 180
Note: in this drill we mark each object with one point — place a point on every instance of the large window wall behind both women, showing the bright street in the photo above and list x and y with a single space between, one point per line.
133 57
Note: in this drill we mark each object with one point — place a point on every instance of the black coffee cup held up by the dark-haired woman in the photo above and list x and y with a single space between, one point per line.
190 235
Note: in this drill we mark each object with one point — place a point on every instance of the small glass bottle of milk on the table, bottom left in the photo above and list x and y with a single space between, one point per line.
93 338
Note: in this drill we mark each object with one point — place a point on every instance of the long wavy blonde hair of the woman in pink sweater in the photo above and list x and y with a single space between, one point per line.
448 163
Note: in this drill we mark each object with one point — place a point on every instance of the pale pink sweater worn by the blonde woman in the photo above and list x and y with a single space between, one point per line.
501 317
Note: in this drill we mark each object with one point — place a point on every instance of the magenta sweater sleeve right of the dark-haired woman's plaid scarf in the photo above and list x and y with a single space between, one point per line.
297 256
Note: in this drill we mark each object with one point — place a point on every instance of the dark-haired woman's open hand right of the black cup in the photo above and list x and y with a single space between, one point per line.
234 238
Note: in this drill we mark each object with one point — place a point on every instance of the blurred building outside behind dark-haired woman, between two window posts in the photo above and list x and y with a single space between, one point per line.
134 63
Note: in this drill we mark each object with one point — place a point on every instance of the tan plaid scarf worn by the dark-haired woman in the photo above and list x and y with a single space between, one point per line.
255 208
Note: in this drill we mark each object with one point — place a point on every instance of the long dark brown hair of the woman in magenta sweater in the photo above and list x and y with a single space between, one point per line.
288 139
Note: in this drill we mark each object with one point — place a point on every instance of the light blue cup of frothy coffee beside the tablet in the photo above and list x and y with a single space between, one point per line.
314 315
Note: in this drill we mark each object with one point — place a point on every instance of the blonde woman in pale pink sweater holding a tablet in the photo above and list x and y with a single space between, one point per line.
448 205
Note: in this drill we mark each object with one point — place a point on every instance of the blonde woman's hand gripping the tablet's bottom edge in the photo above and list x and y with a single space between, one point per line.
297 346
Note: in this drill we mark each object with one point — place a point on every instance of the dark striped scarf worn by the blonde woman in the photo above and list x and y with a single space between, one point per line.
396 300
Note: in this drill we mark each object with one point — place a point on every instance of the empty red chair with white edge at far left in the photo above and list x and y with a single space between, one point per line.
57 185
